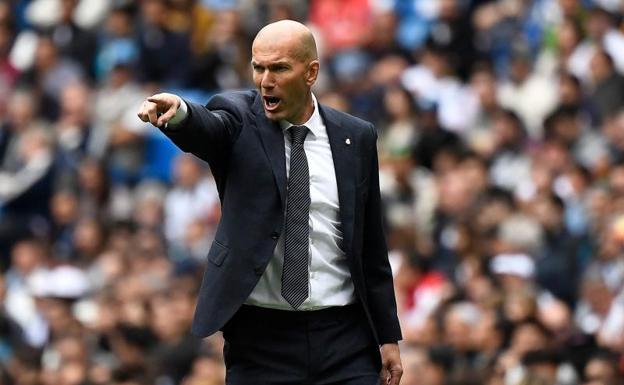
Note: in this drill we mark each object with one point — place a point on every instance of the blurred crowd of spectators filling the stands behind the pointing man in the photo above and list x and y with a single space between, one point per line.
501 142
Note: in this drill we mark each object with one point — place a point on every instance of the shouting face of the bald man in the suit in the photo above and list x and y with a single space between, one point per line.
284 81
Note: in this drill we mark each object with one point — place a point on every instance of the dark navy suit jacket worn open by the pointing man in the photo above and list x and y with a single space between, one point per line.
245 151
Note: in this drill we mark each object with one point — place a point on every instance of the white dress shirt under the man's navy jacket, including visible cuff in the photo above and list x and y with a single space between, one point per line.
329 277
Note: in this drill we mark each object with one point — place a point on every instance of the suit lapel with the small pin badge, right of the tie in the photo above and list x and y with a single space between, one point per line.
342 145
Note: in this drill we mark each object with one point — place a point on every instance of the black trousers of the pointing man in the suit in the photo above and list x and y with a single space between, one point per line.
325 347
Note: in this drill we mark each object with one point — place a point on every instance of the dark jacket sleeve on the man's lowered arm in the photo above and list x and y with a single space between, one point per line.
378 275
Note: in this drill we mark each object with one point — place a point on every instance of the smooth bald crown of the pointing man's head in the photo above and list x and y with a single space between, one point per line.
290 35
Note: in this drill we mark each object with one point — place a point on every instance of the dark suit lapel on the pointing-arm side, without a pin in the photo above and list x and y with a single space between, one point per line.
272 140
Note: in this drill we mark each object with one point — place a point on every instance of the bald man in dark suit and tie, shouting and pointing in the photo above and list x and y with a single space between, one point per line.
297 278
